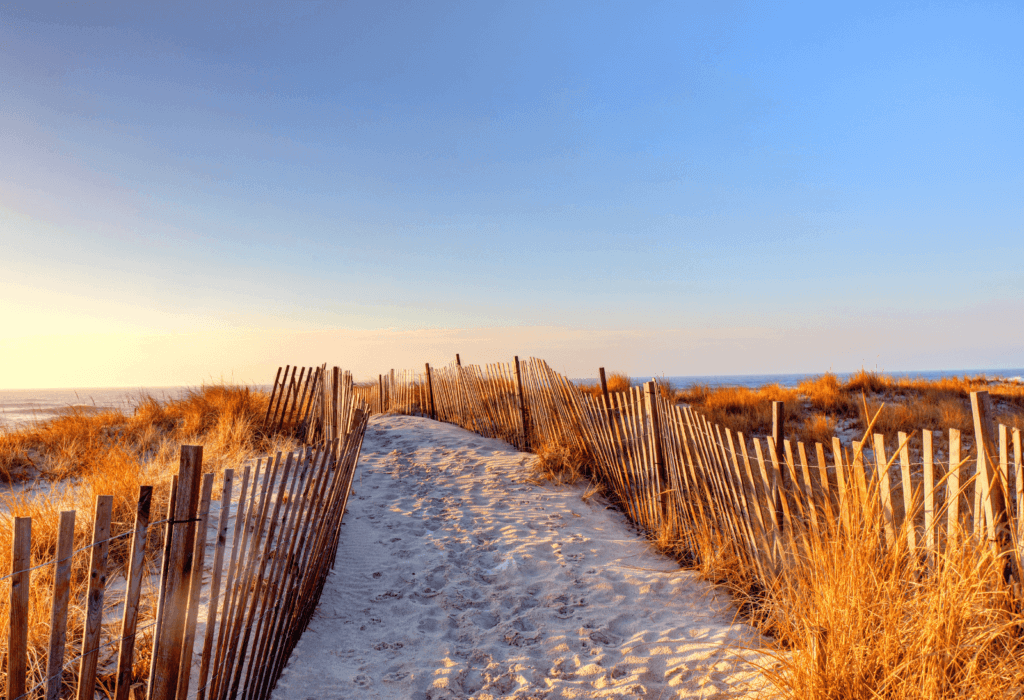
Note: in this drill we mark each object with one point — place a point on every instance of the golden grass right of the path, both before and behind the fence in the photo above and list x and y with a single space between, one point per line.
848 618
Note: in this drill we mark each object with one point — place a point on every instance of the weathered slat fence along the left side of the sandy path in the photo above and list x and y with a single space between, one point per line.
214 629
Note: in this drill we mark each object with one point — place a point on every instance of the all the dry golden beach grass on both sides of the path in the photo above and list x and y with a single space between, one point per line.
850 620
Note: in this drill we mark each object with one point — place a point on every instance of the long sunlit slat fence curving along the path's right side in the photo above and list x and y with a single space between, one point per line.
676 474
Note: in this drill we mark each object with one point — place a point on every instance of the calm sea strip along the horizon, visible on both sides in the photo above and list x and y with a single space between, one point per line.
23 407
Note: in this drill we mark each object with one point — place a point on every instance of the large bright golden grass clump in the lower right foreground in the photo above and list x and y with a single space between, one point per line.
855 621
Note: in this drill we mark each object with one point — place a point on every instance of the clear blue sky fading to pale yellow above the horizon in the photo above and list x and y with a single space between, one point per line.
196 192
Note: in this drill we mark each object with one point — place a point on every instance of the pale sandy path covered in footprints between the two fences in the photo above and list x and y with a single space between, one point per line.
456 578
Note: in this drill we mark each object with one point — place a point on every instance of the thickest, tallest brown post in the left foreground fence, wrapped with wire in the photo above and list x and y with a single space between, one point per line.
167 647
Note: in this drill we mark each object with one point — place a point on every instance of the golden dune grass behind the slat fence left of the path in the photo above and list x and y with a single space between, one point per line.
111 453
